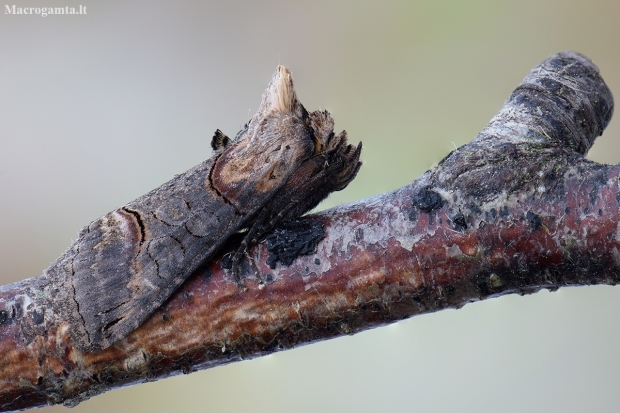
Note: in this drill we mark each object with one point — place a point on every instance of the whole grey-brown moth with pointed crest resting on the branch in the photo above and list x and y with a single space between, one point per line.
124 265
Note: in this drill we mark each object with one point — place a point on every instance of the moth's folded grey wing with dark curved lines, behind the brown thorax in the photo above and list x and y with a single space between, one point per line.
127 263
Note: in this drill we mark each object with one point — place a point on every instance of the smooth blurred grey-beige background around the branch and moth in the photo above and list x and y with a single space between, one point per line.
98 109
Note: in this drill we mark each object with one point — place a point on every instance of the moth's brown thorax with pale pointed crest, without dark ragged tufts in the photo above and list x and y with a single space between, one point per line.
270 147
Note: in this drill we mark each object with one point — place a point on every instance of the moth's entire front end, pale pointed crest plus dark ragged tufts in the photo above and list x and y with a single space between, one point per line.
286 150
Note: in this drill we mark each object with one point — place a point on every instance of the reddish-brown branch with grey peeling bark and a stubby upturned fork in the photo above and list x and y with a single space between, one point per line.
516 210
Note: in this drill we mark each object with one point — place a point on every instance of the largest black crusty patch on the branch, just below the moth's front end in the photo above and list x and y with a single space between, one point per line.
295 238
